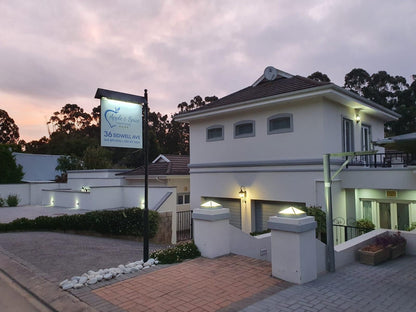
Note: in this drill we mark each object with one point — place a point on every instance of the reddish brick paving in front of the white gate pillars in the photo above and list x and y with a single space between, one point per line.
228 283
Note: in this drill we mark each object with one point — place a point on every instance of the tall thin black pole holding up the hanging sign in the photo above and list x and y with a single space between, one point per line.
146 181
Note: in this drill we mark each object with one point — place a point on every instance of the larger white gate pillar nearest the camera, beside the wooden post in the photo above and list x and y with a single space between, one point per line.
293 248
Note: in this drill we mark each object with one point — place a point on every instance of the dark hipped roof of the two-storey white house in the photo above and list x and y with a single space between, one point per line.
283 87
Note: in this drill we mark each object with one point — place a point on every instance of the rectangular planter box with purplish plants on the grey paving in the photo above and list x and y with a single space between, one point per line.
385 246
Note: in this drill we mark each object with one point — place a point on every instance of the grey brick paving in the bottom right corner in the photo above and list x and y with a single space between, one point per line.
356 287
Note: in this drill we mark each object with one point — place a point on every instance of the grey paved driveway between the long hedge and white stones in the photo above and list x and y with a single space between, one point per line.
62 256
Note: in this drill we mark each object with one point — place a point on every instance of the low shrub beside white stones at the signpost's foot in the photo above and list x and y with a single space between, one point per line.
177 253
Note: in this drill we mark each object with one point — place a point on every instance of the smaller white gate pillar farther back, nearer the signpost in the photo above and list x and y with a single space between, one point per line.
211 231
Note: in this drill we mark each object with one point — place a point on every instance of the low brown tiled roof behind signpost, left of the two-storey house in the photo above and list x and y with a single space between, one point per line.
164 165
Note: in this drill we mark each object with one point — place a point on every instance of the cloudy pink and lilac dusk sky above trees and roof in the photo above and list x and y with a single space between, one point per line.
57 52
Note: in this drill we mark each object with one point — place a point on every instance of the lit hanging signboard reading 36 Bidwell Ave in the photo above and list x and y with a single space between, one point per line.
121 124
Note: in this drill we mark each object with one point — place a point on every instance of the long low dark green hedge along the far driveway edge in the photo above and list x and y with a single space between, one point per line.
128 222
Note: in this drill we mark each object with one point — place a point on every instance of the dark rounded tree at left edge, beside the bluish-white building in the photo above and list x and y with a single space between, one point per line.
10 172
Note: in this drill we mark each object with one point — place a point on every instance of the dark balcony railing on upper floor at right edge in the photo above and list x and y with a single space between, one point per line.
384 160
